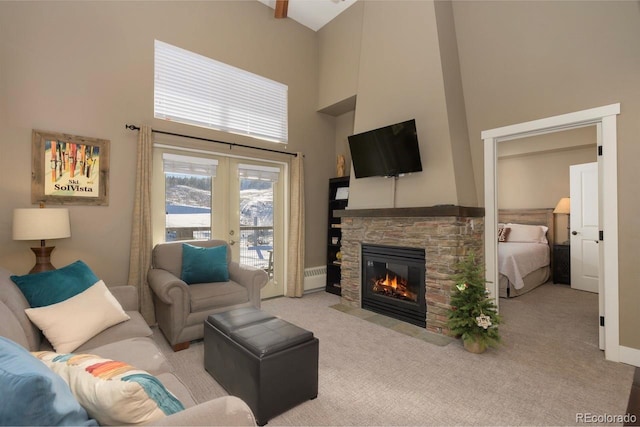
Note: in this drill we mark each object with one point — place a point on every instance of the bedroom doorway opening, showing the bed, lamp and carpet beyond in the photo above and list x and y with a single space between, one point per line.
533 176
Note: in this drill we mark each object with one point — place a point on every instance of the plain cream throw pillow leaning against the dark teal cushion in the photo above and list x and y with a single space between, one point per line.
70 323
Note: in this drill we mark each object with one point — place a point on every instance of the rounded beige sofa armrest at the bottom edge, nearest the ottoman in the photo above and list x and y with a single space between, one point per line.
223 411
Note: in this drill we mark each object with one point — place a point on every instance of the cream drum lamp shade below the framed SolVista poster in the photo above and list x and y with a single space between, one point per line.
41 224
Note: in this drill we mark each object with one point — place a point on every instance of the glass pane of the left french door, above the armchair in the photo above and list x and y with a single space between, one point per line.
187 207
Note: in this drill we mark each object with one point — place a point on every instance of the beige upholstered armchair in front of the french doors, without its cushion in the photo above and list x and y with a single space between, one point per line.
181 309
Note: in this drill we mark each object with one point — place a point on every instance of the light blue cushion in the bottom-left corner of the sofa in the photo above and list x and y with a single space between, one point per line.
32 394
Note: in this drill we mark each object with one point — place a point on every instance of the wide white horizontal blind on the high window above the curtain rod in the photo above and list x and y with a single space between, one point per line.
193 89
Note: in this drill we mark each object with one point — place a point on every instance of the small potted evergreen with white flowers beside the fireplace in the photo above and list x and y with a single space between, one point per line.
473 315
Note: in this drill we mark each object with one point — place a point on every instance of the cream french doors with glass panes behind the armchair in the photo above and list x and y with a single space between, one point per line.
239 200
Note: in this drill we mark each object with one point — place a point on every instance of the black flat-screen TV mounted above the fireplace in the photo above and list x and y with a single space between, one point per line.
388 151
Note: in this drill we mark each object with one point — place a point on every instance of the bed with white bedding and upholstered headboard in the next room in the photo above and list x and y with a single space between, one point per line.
524 255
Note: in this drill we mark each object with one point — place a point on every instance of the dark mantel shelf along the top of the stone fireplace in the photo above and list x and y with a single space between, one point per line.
427 211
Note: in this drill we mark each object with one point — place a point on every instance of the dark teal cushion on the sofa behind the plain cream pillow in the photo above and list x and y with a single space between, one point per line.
52 287
